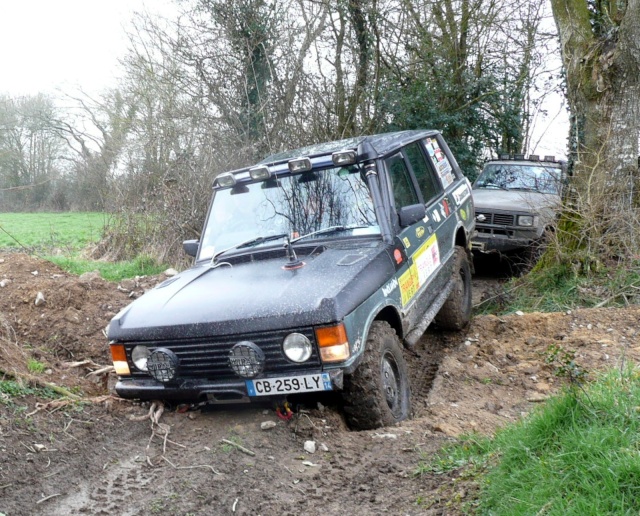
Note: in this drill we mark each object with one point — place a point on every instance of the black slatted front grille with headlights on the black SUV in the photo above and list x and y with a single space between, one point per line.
209 357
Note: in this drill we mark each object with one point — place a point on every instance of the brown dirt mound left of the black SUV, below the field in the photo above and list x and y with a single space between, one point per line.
58 319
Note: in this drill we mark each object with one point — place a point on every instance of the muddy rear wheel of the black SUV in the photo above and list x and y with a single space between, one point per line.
455 314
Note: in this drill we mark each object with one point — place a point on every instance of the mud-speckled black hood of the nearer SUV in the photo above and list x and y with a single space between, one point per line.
257 295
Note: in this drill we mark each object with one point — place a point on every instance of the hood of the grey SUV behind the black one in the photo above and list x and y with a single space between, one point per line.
513 200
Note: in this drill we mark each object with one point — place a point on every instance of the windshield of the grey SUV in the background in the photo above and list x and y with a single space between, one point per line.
520 177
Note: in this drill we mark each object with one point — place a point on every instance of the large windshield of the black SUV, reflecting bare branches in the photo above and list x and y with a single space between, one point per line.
293 205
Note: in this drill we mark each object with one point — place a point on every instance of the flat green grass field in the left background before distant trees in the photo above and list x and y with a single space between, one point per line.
38 231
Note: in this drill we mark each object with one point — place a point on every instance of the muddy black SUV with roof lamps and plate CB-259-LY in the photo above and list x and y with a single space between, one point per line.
314 268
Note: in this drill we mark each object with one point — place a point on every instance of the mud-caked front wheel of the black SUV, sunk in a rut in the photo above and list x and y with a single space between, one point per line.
378 392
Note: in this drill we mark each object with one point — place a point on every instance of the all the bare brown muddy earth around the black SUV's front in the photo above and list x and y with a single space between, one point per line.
102 455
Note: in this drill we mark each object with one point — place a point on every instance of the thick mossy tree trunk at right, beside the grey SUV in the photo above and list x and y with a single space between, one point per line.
600 44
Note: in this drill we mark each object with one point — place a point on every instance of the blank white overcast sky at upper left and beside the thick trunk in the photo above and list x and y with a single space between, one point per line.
64 44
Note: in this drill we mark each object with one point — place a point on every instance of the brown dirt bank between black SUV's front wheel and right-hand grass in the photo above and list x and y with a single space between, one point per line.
506 365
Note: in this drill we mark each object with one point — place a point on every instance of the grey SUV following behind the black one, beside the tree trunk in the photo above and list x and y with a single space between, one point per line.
516 202
